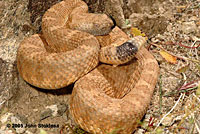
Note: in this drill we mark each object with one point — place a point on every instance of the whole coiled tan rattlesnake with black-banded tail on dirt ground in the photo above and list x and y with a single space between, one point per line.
105 98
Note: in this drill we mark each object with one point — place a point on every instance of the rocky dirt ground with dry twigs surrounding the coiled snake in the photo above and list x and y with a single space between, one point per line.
173 30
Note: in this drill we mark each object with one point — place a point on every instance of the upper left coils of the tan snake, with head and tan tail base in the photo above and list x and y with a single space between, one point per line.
63 55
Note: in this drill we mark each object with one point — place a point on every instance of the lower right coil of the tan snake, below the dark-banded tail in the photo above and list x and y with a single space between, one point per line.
114 99
